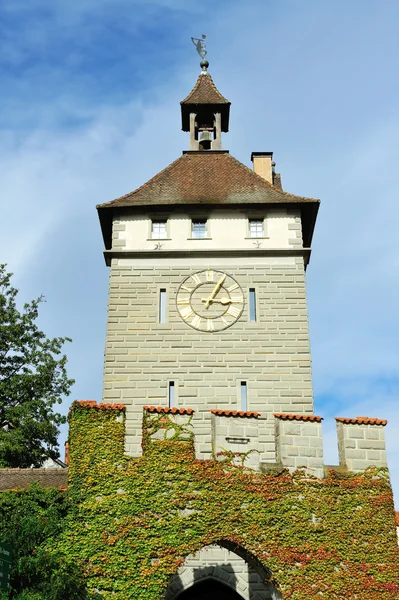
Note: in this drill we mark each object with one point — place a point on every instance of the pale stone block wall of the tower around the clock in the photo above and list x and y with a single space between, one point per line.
272 354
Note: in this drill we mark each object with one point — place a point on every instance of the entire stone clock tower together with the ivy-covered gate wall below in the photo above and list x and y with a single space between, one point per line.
201 473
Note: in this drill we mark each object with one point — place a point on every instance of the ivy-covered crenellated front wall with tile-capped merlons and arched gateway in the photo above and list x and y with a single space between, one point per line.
173 526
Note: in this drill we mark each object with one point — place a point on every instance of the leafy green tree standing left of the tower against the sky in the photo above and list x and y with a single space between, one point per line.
33 379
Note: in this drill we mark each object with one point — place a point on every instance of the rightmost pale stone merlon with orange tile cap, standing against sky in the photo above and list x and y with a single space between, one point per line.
361 443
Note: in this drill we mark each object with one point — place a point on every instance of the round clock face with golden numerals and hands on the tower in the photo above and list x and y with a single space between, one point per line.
210 300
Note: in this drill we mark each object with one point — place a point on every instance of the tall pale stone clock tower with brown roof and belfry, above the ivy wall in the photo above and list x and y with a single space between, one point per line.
207 300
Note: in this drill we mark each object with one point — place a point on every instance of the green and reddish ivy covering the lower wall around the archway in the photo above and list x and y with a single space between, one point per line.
135 520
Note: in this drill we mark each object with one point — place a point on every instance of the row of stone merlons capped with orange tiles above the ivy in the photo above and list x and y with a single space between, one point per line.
236 437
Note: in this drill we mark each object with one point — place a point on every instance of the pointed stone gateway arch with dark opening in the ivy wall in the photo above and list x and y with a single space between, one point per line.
223 563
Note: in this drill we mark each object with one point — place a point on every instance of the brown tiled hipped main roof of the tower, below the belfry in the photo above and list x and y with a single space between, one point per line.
206 178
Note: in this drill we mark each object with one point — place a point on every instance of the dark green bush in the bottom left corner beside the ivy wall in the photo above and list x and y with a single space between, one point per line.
29 521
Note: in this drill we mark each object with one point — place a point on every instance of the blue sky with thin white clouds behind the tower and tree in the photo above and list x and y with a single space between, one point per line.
89 110
